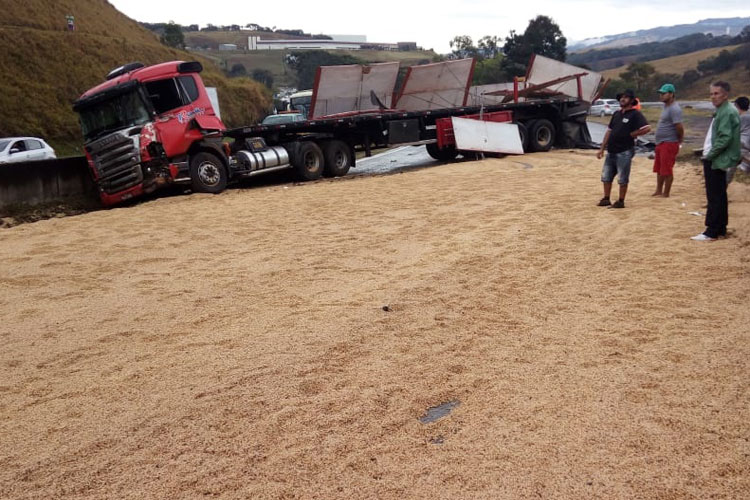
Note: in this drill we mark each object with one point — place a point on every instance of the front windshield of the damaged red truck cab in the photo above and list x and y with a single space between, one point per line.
121 111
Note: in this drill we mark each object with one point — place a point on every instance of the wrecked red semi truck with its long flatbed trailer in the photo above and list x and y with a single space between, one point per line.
147 127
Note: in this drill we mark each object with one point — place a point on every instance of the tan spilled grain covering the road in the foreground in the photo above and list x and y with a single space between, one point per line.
238 345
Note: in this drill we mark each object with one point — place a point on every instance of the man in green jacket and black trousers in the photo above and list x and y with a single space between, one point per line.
721 150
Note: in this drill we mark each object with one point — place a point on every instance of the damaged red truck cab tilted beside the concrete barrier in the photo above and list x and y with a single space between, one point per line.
147 127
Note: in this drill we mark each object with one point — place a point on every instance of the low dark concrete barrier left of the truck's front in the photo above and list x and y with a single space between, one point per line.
33 183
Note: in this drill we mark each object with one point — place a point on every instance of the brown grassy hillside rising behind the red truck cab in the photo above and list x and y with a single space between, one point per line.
45 67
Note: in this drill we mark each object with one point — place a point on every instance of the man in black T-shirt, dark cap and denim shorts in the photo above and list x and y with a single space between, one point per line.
619 140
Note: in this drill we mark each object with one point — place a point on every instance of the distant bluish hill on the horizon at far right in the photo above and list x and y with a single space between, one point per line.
716 27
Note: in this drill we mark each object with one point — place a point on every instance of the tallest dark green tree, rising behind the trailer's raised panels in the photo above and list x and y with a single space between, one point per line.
542 36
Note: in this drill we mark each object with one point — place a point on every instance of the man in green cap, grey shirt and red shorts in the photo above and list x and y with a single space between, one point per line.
669 134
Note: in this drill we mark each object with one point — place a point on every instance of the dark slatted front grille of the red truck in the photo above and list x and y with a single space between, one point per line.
117 162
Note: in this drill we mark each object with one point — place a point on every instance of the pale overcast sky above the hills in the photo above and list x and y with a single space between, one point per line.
432 24
